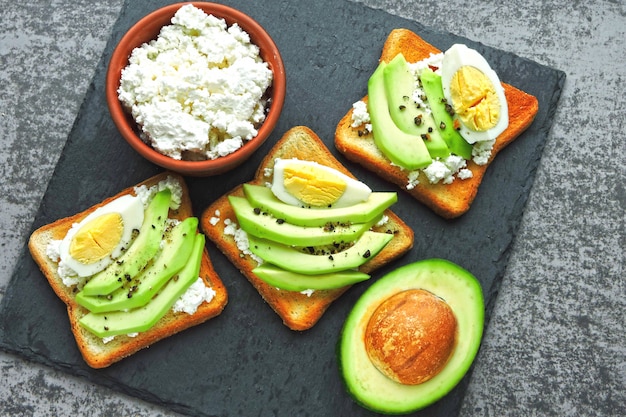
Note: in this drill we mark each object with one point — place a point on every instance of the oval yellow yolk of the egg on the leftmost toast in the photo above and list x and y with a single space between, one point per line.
97 238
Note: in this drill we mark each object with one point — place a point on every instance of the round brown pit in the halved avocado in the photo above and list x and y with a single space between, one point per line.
410 336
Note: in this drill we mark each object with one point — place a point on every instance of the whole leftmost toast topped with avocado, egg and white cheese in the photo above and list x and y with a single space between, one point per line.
142 315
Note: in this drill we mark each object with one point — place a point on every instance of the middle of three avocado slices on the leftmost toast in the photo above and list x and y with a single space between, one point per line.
140 289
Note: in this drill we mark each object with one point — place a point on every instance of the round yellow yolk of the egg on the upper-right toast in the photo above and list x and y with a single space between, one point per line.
474 98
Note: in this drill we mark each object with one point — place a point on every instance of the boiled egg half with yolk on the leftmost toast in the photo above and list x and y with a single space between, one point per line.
102 236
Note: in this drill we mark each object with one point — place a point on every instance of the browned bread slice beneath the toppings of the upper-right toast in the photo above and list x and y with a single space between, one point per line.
447 200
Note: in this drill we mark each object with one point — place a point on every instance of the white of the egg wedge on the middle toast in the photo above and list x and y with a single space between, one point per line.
355 192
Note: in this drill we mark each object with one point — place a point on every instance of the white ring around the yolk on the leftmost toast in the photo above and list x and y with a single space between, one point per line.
130 209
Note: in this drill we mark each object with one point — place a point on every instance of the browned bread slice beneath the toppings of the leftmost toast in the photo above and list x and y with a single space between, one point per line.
94 350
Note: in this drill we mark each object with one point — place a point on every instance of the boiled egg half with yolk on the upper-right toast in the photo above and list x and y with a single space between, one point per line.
474 91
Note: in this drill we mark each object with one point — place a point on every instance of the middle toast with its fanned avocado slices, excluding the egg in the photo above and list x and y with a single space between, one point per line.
298 303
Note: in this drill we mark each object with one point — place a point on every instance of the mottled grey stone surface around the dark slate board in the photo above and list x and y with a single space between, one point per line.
555 345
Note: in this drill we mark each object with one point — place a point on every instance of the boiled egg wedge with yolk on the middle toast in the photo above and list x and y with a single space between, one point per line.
309 184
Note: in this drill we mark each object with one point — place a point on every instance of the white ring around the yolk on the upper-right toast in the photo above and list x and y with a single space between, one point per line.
460 55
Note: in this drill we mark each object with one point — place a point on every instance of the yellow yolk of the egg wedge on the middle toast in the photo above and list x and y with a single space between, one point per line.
313 186
